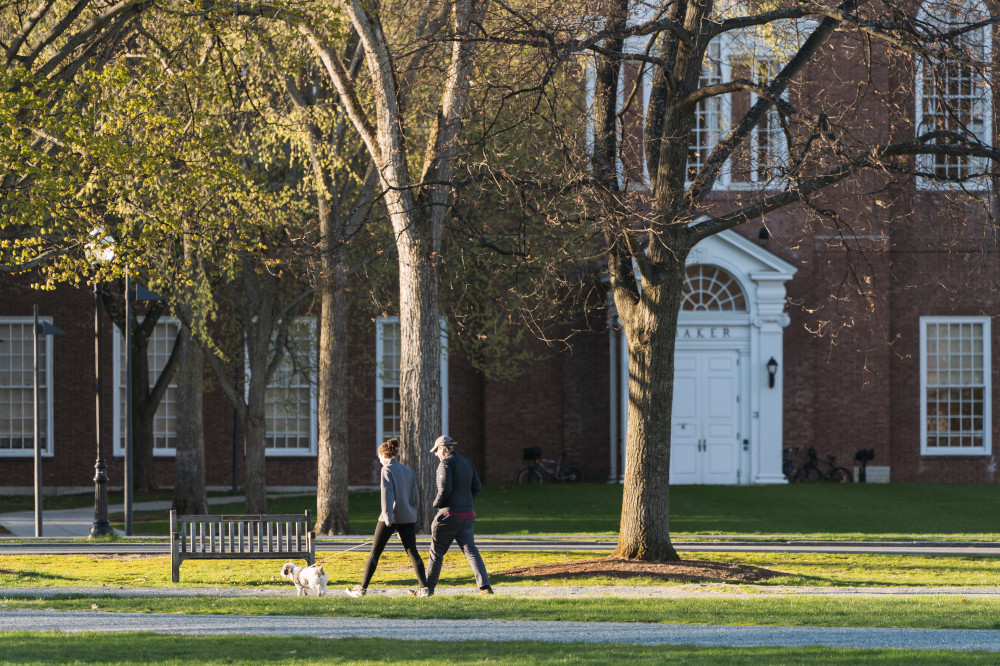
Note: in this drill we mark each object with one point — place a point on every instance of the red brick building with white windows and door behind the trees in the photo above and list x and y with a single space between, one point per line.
871 331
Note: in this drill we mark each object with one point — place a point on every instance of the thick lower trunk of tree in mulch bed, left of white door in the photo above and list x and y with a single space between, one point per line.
651 330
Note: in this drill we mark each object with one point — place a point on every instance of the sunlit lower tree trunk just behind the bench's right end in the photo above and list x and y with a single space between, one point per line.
331 483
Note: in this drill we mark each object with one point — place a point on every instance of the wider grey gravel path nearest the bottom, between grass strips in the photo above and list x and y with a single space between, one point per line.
497 630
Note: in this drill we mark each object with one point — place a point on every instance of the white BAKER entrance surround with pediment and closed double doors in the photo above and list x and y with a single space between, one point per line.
727 420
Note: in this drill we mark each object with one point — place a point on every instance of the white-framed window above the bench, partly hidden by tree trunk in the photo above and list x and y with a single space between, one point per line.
292 428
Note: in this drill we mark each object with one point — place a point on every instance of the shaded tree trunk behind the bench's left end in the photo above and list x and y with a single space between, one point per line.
190 496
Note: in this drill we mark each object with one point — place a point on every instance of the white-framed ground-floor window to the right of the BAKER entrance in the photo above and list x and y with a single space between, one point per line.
955 385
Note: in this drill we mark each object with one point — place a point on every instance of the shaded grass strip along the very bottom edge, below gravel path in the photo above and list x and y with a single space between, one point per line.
48 648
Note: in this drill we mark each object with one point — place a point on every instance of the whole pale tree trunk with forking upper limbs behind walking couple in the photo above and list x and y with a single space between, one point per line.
417 227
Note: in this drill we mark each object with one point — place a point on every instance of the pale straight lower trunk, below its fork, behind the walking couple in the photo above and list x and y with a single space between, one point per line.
420 367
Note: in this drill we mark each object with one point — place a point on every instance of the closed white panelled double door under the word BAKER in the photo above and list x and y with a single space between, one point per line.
705 429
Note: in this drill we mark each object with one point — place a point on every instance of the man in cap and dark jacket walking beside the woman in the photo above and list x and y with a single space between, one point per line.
457 484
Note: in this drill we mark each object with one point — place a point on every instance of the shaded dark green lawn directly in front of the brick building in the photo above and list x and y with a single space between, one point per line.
820 510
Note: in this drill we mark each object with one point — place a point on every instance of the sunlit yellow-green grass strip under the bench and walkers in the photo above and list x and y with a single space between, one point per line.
809 569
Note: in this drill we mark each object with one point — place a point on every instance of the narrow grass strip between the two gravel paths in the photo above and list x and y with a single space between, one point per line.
922 611
